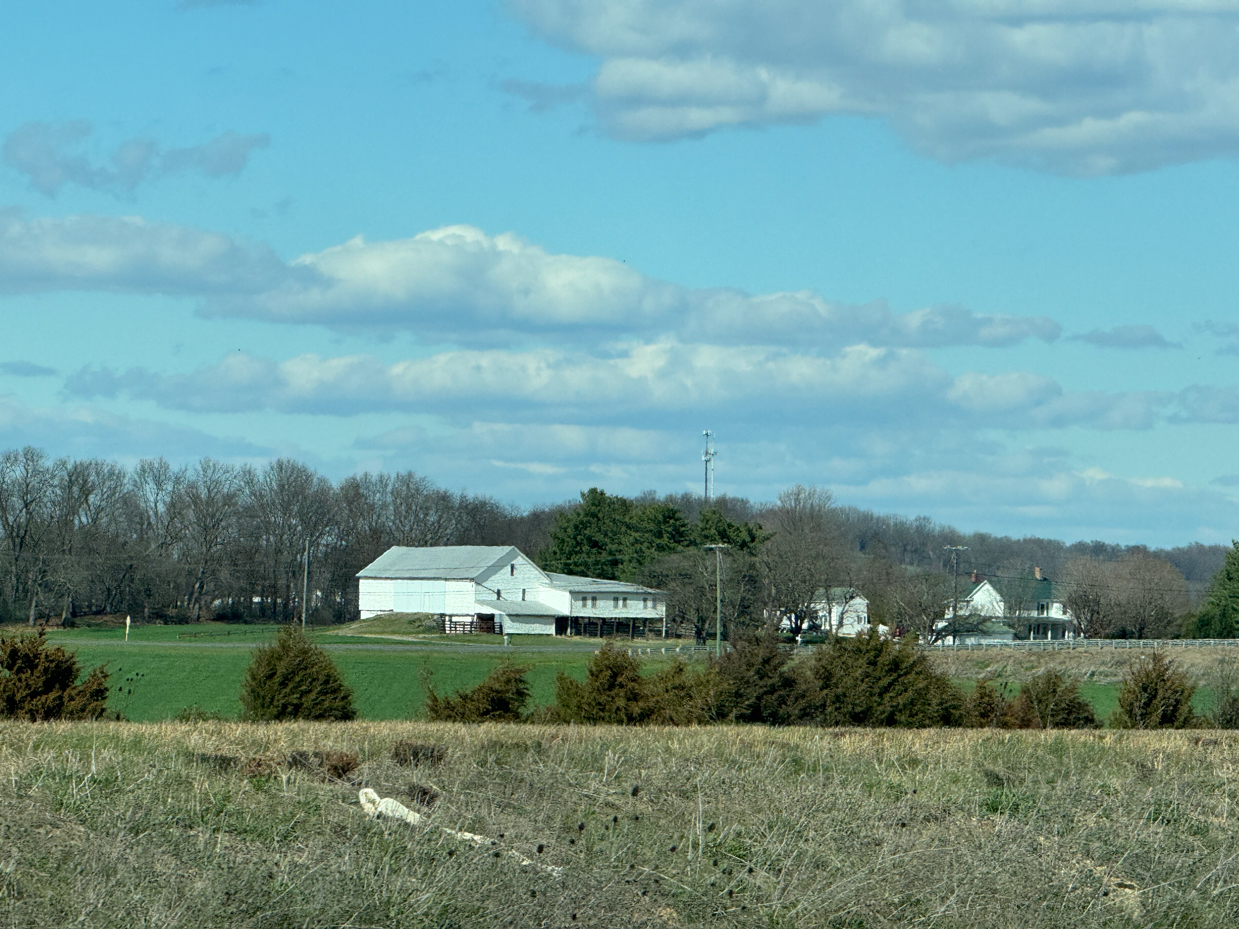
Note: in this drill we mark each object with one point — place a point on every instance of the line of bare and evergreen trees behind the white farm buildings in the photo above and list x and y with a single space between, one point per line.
227 542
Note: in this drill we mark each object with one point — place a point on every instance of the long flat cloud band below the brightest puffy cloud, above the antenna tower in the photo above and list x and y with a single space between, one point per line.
645 380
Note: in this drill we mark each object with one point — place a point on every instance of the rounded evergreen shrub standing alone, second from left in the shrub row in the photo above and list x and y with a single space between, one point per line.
294 679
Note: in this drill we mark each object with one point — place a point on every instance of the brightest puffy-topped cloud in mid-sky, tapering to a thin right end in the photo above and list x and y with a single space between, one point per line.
458 282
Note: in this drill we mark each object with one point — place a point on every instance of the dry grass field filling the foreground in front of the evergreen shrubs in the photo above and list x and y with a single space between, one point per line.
235 826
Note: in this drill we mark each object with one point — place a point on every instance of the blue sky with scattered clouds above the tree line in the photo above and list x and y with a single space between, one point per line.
972 261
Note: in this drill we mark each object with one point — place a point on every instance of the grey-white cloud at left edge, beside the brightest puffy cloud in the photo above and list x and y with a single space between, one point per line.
129 256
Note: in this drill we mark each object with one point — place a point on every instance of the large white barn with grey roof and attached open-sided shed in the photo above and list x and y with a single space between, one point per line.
497 589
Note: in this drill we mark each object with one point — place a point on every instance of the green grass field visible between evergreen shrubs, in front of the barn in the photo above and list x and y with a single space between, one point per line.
165 669
